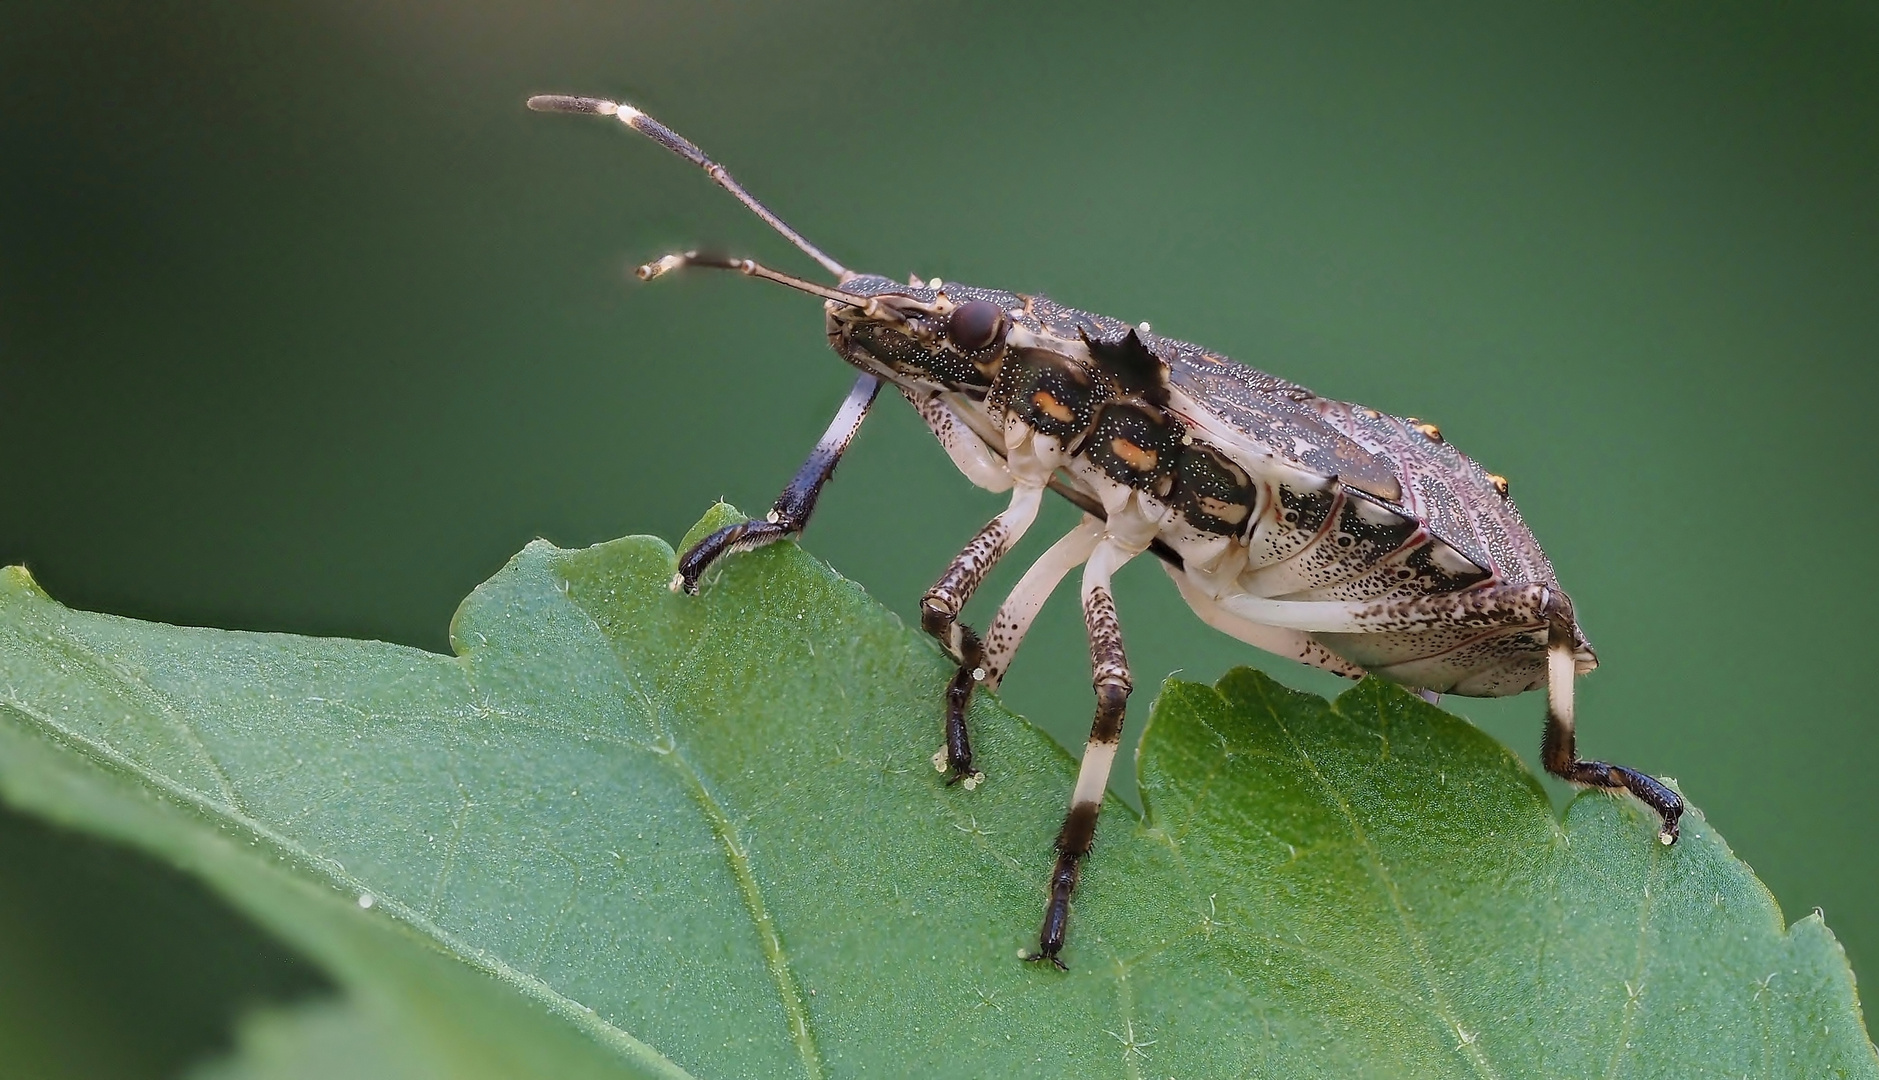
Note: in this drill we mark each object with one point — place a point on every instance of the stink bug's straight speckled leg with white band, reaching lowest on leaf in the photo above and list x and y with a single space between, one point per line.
1111 679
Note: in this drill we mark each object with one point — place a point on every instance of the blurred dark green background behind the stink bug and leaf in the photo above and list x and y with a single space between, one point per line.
307 326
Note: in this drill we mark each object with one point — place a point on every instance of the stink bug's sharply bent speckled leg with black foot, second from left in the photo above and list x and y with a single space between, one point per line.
940 617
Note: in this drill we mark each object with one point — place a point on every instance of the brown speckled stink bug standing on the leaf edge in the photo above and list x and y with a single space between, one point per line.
1320 531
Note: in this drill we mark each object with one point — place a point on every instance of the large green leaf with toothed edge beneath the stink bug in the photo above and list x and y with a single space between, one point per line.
634 833
